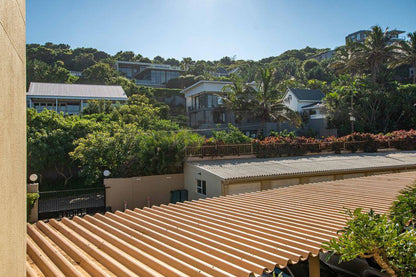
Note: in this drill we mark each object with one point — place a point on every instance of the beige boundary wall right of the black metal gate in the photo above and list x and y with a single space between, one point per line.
136 191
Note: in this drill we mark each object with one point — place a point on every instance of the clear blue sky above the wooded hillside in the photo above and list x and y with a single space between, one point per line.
210 29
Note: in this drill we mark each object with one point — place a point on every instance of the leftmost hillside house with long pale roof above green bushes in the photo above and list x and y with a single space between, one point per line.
70 98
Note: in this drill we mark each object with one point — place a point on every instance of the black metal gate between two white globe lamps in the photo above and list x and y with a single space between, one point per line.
69 203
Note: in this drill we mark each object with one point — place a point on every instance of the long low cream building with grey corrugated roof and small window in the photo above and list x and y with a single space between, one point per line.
211 178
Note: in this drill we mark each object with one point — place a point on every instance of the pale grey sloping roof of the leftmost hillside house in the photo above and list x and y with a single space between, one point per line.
76 91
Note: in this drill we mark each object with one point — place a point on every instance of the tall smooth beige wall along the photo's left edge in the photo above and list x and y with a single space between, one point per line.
12 138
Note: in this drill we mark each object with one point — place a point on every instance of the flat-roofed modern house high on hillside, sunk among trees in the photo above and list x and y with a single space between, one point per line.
148 74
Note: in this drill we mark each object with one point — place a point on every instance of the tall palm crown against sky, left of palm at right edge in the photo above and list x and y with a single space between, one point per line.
376 50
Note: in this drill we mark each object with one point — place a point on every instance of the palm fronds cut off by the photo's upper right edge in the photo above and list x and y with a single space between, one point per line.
405 53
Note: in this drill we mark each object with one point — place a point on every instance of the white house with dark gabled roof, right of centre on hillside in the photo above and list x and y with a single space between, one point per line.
309 104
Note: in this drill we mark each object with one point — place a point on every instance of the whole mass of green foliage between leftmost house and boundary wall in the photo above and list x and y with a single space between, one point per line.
105 136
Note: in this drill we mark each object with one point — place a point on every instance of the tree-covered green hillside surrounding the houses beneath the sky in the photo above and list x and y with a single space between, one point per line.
368 81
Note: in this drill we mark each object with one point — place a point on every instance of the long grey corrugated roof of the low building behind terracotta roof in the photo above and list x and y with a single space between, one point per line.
255 168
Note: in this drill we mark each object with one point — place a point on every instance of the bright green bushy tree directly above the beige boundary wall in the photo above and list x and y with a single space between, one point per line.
129 152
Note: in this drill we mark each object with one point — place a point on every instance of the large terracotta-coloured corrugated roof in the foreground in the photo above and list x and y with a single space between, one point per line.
237 235
